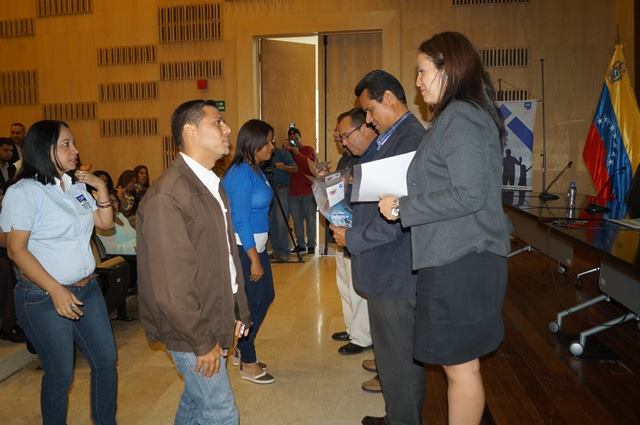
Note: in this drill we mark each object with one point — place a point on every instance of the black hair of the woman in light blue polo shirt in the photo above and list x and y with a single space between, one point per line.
39 144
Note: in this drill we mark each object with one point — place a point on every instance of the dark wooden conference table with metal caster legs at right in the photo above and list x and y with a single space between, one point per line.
556 230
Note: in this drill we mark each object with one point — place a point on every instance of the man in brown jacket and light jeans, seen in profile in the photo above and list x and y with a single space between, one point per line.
190 287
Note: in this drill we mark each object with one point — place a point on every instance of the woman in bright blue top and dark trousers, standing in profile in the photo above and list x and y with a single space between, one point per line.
250 198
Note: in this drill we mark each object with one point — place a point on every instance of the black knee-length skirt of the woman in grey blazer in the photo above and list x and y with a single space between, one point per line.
459 309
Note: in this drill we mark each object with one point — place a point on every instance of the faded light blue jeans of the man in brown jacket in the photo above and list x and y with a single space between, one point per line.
204 400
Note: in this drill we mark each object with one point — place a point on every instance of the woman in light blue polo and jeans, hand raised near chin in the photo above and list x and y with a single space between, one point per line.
48 218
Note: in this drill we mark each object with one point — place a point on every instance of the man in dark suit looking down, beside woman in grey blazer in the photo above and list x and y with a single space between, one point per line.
381 257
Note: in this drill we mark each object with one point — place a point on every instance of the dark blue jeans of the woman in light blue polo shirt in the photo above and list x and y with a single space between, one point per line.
53 337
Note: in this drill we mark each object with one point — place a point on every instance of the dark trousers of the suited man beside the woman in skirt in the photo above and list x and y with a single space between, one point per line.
402 379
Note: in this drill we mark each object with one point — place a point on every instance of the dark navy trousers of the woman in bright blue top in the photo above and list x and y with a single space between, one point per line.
260 295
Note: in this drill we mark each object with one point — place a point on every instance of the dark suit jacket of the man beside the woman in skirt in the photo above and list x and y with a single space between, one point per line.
381 250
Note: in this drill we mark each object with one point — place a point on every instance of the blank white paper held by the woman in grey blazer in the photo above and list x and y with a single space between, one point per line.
386 176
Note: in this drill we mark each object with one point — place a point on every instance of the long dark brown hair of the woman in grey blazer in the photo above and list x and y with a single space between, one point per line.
467 79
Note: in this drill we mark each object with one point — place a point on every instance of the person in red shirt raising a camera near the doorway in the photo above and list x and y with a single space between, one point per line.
301 202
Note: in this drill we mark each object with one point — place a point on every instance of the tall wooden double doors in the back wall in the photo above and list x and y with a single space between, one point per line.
309 81
